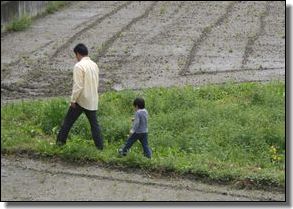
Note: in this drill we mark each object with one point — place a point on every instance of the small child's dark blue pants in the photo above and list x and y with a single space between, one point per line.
143 138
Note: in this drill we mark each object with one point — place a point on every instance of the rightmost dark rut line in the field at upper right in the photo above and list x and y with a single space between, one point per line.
252 40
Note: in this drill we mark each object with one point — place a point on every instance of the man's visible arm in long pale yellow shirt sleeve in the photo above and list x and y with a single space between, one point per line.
78 83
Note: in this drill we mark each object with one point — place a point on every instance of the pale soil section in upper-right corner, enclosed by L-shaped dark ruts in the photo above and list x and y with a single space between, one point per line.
225 47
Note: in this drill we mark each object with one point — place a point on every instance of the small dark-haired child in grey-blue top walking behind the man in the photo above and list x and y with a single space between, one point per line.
139 129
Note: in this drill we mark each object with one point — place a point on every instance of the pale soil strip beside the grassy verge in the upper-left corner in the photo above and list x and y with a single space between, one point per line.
56 27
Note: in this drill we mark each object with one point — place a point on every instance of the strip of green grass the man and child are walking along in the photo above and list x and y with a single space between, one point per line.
224 133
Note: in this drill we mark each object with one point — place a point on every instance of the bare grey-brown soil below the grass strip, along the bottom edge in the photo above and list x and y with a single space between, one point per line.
24 179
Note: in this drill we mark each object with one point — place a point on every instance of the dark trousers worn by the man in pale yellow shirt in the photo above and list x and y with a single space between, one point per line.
71 117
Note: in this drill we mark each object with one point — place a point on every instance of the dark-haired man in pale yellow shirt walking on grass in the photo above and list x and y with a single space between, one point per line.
84 97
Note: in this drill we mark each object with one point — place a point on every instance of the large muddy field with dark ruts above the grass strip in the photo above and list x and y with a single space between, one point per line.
146 44
